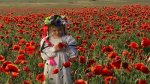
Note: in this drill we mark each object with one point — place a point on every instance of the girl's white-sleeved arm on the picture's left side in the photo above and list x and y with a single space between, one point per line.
47 52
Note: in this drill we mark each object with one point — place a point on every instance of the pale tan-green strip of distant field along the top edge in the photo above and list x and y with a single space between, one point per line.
67 3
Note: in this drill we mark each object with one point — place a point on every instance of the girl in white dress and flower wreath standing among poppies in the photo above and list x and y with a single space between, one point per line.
56 48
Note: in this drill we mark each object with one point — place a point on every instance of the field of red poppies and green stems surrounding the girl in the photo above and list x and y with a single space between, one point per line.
113 44
